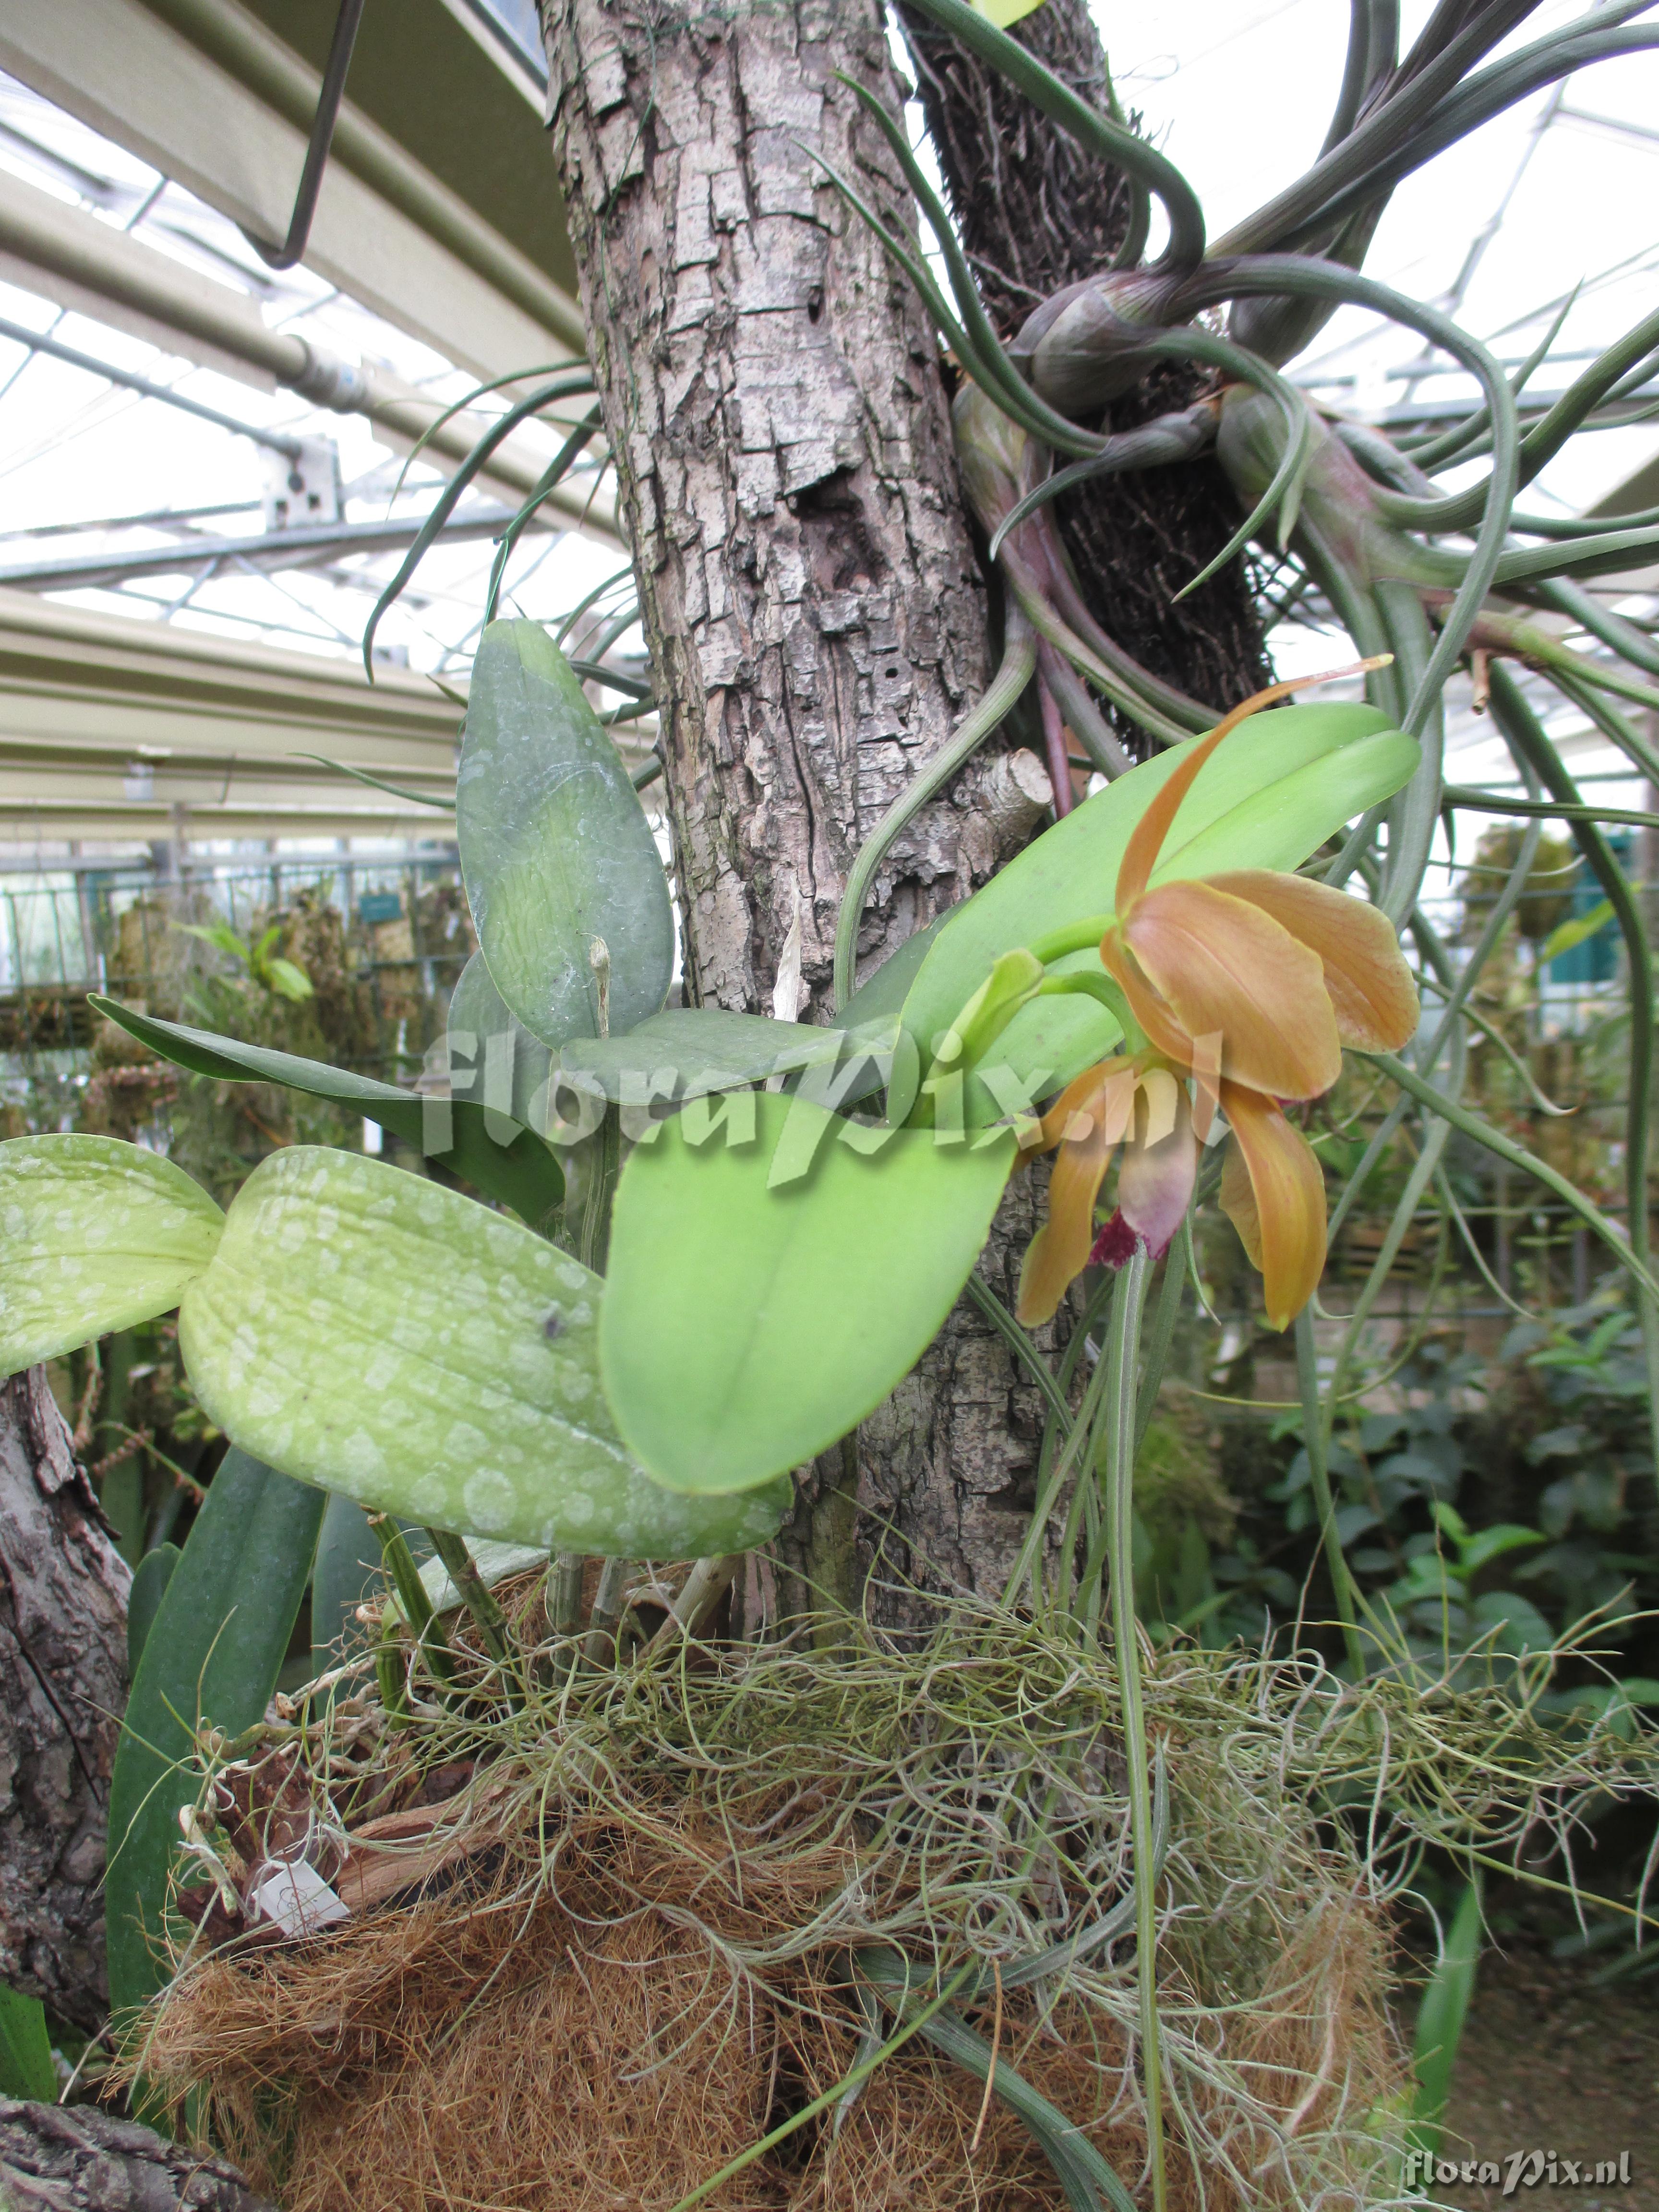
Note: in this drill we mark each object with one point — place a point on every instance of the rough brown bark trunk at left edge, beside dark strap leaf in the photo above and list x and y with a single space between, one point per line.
63 1689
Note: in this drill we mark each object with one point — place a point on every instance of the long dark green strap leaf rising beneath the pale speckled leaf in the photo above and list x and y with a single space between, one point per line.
211 1658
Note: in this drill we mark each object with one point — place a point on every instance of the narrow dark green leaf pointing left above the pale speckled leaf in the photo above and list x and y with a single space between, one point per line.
461 1136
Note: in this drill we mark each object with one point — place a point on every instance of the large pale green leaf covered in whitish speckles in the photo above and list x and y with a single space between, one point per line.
410 1348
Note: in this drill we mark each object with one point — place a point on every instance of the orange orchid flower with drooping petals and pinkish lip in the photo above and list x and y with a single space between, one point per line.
1251 983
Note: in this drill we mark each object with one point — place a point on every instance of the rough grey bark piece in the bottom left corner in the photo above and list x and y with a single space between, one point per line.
81 2160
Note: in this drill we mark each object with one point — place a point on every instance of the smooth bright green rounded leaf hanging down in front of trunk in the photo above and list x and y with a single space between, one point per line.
766 1295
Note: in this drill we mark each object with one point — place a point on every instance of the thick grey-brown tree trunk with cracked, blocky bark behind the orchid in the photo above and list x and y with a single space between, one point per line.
811 594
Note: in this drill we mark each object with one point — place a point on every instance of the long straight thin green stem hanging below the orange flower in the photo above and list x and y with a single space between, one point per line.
1118 1536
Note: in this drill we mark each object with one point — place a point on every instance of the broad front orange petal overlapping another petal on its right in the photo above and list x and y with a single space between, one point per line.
1227 966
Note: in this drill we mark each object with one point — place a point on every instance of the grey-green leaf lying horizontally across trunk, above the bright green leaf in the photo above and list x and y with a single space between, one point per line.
693 1052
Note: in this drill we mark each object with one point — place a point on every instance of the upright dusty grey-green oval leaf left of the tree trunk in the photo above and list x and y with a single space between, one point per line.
554 846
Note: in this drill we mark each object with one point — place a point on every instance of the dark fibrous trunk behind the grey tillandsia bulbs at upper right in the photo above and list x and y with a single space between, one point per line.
1039 213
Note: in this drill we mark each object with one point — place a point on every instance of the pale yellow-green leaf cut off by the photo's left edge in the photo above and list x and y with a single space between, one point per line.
96 1235
